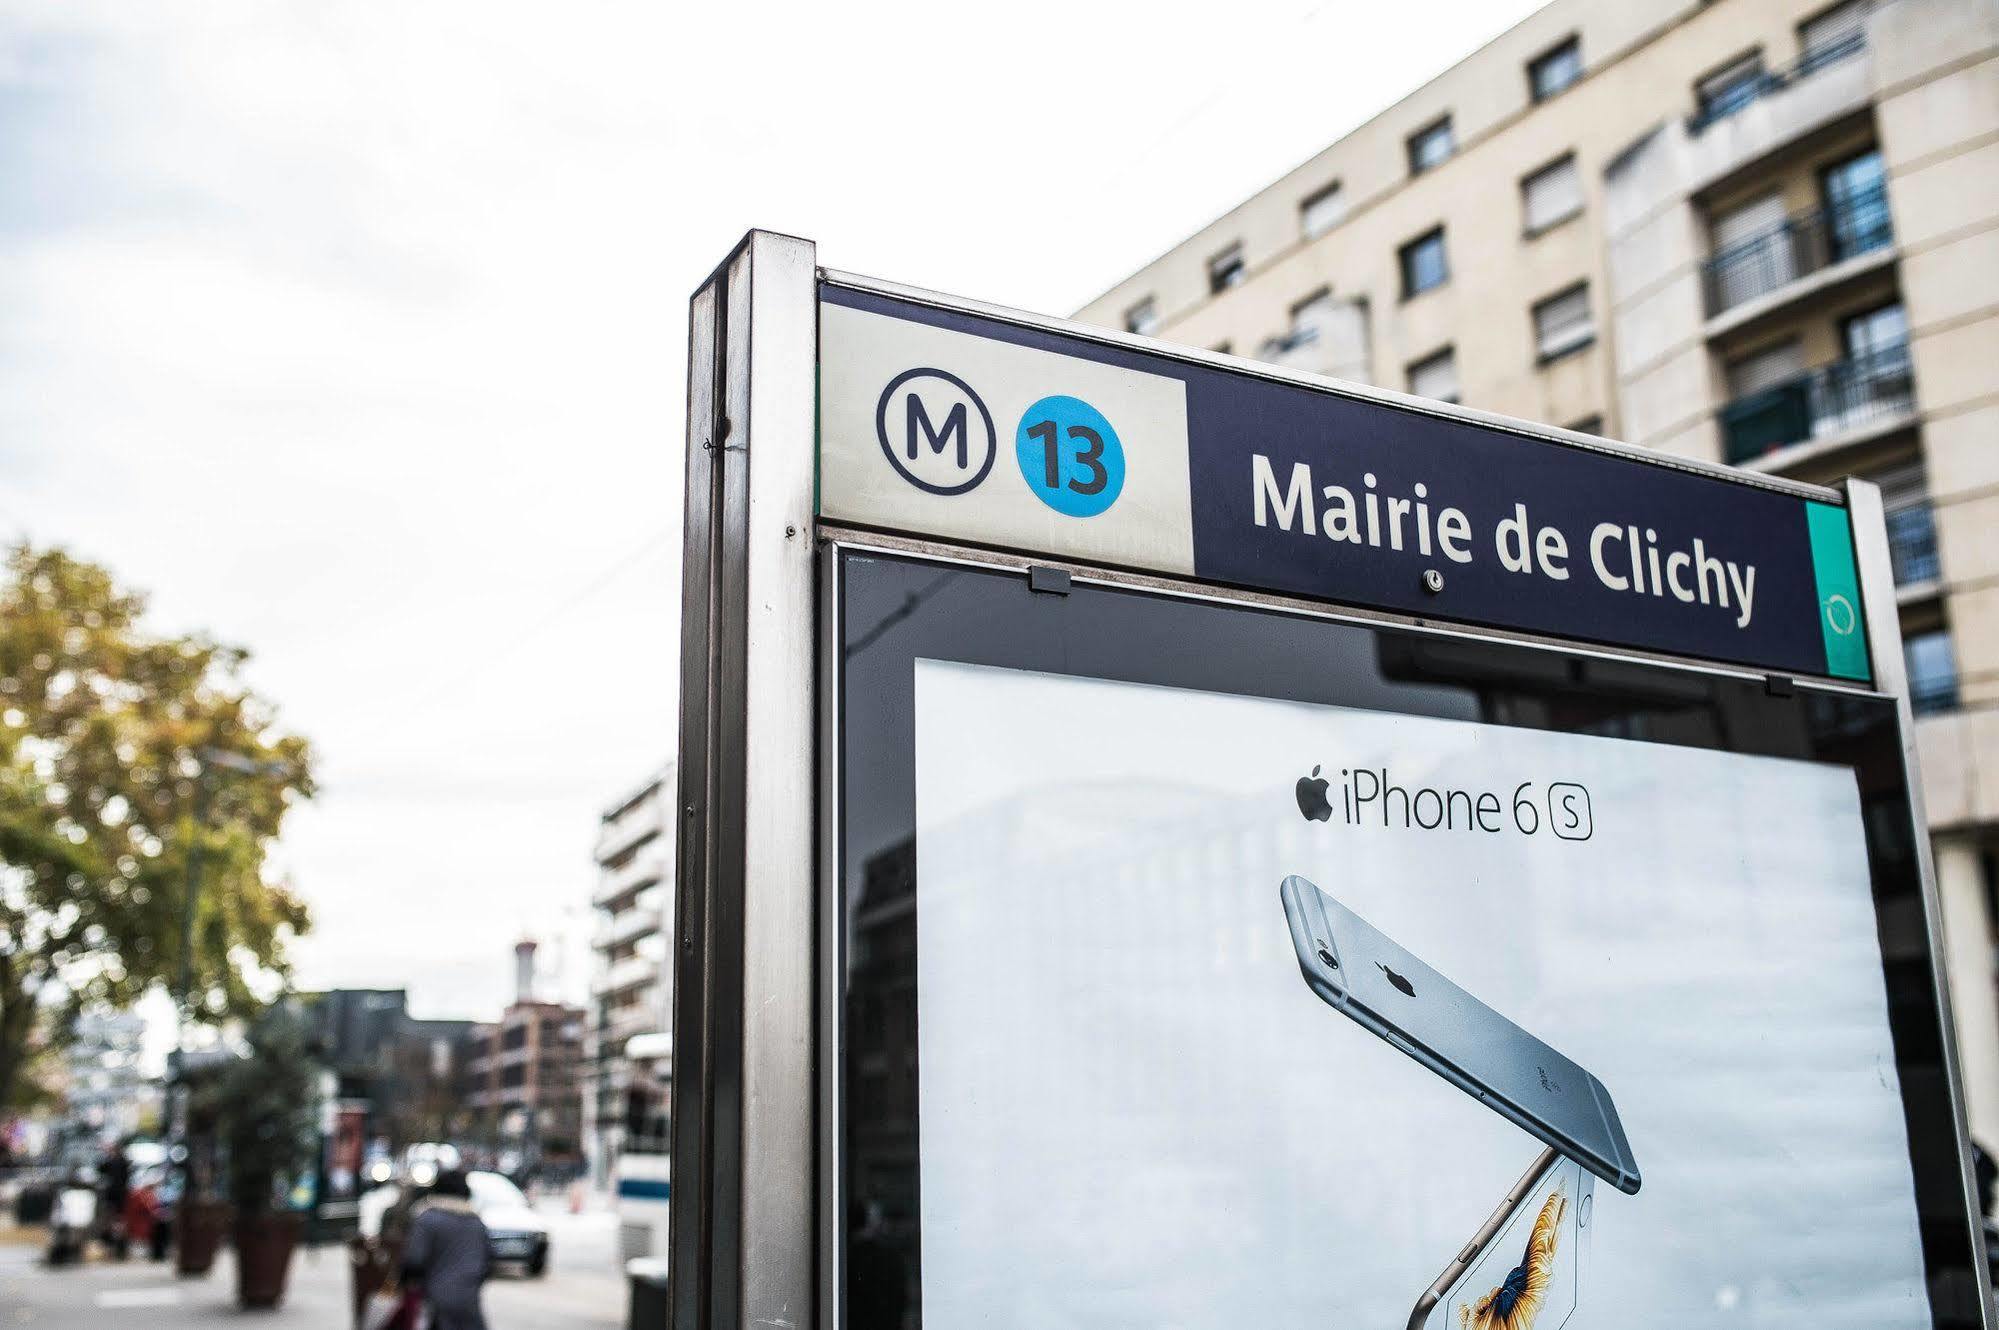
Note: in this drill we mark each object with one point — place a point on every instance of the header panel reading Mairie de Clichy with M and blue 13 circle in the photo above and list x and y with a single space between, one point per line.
1150 461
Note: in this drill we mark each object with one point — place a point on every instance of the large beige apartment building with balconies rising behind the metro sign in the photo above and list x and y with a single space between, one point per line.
1750 231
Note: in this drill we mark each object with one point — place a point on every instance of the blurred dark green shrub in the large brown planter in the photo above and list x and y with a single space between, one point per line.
263 1111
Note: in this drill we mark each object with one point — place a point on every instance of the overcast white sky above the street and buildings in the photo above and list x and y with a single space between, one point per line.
357 335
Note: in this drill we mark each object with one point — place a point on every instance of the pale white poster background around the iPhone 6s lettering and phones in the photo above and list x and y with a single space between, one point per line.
1134 1113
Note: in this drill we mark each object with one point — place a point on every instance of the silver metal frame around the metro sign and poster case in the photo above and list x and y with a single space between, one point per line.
757 1209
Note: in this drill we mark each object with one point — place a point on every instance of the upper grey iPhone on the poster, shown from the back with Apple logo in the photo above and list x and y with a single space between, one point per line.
1362 973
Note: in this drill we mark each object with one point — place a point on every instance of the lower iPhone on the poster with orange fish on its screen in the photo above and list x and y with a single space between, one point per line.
1524 1269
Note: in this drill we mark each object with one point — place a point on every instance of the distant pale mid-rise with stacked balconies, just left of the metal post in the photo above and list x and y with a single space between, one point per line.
631 993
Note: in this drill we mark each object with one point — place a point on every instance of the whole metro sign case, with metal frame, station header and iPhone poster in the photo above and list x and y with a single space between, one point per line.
1172 841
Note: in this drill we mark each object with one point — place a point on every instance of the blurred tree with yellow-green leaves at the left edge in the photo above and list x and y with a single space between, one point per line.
121 753
